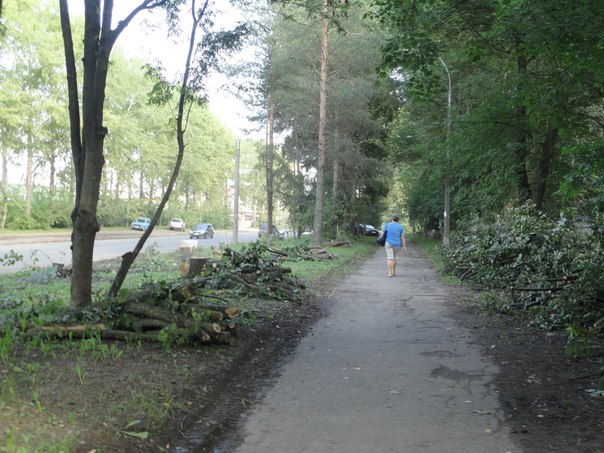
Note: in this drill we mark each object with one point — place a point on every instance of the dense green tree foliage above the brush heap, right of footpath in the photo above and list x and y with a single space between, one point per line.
519 70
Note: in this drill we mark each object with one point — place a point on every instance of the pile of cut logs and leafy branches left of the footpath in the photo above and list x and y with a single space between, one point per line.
179 312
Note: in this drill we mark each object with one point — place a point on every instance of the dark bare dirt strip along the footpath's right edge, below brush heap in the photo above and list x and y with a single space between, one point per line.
542 391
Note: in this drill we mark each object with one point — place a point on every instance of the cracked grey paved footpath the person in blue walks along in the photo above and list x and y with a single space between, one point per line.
386 371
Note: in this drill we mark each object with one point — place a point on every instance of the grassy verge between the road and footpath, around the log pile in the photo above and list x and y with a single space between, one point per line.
78 394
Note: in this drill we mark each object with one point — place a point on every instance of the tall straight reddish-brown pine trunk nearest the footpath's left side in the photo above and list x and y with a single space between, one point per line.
322 149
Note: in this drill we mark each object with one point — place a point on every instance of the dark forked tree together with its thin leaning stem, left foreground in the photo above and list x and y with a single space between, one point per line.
88 131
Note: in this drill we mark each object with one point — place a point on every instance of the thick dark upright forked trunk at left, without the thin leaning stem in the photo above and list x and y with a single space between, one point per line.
89 160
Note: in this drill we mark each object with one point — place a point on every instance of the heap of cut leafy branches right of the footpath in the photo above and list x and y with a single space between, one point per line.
550 268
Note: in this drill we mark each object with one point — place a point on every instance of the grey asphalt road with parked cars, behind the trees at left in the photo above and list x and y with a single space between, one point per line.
41 250
